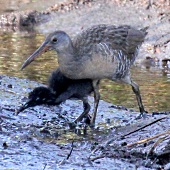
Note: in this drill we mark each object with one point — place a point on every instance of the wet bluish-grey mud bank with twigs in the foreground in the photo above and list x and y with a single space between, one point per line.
40 138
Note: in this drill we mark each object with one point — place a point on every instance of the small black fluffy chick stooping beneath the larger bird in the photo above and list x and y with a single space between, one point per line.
60 88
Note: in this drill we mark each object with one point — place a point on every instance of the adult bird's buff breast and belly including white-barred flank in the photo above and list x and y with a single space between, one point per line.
98 64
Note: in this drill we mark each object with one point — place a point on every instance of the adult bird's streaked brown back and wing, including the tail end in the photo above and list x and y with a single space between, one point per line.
108 39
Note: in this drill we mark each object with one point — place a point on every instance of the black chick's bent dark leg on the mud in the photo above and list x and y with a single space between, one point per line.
86 109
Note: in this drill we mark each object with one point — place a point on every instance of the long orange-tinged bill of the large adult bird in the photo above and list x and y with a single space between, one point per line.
43 48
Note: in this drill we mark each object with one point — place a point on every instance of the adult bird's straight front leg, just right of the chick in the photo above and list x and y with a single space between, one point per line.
95 84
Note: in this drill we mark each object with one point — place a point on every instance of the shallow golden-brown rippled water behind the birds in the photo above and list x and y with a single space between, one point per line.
154 84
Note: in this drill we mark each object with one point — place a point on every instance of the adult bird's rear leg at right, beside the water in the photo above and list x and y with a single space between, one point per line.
135 89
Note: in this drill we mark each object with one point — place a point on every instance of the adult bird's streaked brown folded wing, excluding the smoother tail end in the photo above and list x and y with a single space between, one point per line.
102 36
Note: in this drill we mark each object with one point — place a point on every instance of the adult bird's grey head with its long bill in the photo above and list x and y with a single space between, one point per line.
58 41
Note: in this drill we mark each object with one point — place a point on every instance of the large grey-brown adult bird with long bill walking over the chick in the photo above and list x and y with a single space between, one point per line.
102 51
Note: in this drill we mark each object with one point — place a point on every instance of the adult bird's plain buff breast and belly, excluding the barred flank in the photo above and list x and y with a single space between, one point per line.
95 67
